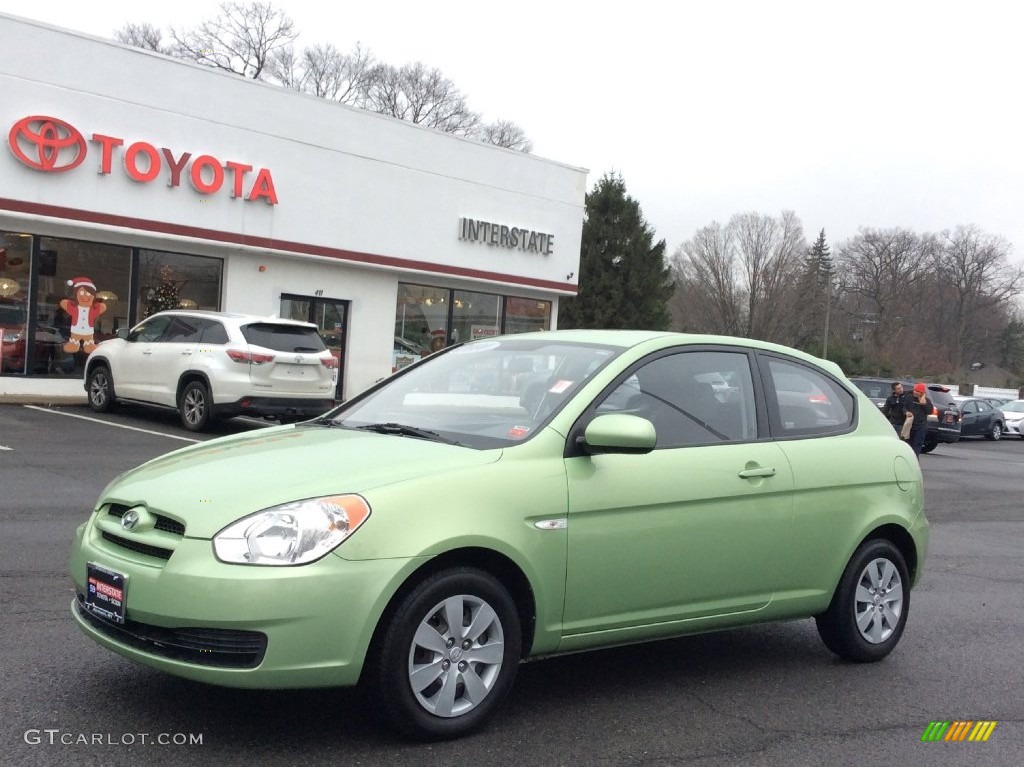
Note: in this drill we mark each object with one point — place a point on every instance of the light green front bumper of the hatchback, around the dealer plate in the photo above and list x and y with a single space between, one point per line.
239 626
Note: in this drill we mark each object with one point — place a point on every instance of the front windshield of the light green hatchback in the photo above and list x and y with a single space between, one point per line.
484 395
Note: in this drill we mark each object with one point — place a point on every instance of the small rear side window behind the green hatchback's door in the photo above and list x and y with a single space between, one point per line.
804 402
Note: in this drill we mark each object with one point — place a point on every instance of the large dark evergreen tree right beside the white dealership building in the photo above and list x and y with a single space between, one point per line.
624 279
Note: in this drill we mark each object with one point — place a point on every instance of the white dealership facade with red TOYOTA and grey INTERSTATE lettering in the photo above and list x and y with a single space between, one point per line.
363 202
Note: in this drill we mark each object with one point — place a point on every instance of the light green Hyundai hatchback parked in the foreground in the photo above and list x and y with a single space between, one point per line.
508 499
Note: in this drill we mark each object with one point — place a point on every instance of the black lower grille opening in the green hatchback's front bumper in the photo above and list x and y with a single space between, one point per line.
201 646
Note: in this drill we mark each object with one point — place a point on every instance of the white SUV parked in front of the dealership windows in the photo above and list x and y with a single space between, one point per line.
216 365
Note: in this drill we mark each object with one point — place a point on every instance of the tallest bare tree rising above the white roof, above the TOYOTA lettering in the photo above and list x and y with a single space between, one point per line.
242 39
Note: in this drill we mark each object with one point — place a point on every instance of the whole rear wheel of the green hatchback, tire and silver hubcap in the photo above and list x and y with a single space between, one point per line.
869 612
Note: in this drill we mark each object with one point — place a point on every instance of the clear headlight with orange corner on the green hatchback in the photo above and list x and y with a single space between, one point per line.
292 534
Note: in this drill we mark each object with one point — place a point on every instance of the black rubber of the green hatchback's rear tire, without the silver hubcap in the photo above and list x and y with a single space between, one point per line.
838 625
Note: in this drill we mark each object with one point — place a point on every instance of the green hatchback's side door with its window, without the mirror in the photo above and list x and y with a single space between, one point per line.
694 529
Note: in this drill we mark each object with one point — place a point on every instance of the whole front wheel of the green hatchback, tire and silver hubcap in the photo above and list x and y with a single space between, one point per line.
448 656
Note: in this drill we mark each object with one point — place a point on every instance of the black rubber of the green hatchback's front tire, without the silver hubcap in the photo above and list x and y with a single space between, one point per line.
391 679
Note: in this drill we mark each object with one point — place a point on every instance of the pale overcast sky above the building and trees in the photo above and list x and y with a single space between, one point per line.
860 114
